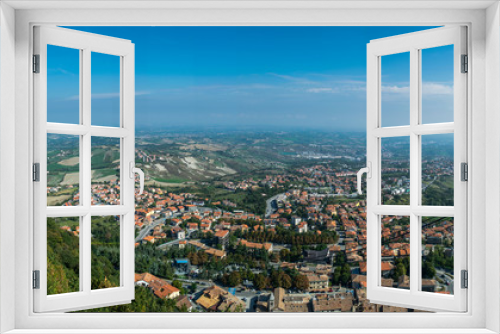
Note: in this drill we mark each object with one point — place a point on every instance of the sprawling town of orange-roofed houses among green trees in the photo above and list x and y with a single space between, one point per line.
291 240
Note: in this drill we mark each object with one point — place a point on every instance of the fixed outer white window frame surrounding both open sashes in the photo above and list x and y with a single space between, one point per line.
15 120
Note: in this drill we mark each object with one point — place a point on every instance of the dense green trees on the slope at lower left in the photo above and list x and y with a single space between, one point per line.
63 264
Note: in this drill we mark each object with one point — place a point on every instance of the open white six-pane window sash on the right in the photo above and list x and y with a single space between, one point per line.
414 296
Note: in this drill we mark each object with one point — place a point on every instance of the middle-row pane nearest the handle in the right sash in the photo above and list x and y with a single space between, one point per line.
395 171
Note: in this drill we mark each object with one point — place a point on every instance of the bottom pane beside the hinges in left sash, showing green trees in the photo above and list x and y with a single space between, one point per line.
63 255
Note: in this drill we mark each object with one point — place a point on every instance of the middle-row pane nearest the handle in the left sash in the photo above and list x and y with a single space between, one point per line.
105 171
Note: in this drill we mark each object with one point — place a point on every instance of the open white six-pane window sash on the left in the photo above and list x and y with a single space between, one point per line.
84 297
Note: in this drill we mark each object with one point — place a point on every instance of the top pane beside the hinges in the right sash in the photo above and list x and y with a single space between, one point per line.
437 84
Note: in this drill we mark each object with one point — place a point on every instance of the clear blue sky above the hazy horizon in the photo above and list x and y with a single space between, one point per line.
252 77
